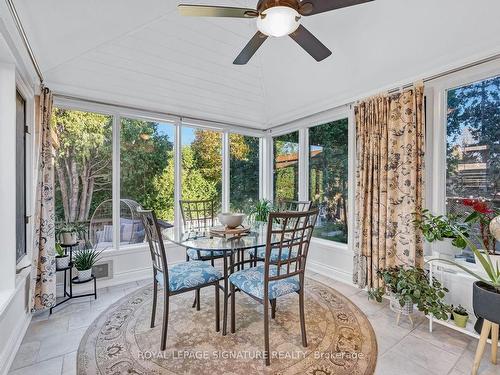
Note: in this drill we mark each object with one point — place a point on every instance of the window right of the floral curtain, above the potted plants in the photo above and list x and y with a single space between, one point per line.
473 144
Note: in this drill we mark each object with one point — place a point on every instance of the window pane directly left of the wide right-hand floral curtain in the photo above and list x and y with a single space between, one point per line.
328 171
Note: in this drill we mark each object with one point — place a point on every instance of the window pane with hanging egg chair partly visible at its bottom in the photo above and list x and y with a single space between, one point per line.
146 174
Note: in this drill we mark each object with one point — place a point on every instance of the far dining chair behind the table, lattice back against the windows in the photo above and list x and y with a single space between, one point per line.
199 216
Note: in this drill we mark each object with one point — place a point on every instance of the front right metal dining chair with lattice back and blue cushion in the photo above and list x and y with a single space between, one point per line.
273 279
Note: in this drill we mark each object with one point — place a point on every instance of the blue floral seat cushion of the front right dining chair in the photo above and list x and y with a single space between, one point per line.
251 281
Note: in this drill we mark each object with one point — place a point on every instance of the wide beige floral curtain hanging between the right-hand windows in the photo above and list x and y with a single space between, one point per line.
389 183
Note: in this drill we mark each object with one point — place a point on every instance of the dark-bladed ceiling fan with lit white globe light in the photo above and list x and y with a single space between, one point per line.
275 18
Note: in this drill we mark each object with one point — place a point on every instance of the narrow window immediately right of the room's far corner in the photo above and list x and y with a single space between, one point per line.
286 167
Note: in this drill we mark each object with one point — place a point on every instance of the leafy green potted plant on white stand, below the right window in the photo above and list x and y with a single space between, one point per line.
439 227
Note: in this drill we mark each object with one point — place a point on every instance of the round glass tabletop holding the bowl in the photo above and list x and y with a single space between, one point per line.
205 240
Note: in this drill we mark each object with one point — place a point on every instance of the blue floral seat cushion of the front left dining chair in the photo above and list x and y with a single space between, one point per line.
189 275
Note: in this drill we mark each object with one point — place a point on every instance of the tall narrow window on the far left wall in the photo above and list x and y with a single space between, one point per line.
20 177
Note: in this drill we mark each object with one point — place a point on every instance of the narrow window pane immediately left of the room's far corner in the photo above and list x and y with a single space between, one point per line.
244 172
